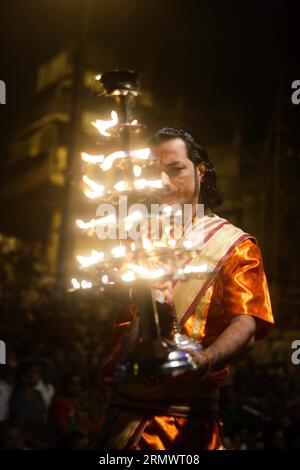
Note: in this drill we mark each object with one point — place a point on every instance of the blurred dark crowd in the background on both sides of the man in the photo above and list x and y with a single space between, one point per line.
45 406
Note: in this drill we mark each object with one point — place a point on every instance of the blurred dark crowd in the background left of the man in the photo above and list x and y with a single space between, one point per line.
43 407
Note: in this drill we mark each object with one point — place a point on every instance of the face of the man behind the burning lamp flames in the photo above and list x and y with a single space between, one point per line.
178 172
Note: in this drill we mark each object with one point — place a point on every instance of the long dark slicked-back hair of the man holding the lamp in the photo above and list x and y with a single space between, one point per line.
210 194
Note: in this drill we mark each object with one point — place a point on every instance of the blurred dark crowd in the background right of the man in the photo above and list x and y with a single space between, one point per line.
261 408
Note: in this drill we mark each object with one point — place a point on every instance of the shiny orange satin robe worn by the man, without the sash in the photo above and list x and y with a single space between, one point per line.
240 288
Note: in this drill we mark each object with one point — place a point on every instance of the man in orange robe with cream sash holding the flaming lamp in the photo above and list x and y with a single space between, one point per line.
225 314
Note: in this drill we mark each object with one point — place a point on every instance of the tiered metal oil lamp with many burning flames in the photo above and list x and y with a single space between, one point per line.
140 257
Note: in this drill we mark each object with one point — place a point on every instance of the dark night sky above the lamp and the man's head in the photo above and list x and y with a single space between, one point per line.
211 54
